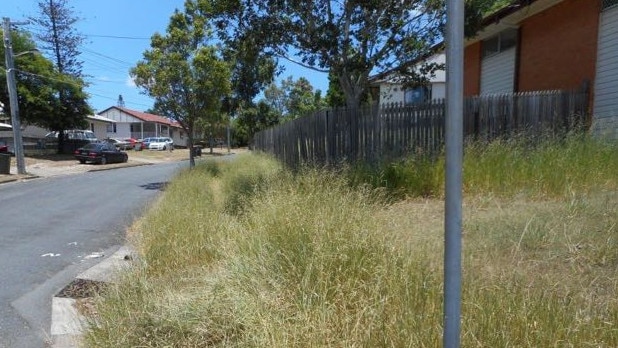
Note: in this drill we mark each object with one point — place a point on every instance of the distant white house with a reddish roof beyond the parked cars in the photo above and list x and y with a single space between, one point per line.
129 123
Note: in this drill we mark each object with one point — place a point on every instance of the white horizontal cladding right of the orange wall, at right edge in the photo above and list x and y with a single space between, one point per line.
606 84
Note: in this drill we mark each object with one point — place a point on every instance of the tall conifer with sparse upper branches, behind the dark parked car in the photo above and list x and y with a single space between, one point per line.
60 41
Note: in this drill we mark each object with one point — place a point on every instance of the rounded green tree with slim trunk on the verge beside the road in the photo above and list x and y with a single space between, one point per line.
187 77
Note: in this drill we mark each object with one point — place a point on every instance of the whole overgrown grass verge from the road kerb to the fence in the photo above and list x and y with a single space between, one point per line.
247 254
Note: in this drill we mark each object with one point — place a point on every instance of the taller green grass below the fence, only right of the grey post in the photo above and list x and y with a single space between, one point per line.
554 168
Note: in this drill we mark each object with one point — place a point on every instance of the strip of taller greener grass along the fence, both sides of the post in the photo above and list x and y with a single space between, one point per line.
519 166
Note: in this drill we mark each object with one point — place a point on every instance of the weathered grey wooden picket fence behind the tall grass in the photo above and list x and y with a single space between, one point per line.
375 132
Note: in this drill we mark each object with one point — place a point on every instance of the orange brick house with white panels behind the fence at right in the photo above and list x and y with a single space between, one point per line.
535 45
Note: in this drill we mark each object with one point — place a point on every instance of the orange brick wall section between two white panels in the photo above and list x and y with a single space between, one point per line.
558 46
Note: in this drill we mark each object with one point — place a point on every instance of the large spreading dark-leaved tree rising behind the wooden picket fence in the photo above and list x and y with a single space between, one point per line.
349 39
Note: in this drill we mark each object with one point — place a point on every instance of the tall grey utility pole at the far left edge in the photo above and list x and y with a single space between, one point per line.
10 81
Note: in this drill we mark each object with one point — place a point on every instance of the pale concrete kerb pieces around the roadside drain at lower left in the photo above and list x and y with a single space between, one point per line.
67 324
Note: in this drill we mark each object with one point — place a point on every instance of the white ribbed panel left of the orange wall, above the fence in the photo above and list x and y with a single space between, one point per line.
498 72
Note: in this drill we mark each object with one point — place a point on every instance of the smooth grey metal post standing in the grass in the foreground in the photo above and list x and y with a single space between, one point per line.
453 167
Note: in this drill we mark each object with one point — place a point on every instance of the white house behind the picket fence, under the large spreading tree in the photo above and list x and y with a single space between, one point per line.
388 87
